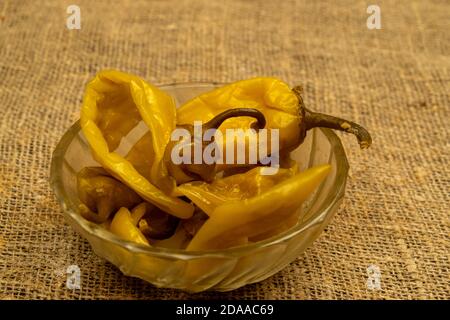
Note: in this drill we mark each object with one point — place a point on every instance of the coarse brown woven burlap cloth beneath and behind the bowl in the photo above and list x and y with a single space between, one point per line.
394 81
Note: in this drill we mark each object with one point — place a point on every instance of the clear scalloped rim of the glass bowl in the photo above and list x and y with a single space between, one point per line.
70 210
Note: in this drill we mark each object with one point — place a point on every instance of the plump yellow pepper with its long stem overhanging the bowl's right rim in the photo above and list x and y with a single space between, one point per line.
282 108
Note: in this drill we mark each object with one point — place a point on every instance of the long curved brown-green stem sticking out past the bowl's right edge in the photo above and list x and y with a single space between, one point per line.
315 119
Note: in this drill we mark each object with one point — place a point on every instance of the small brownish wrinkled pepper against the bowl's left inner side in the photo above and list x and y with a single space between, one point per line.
102 195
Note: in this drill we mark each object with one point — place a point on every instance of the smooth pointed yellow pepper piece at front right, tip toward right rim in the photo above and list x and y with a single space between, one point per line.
259 214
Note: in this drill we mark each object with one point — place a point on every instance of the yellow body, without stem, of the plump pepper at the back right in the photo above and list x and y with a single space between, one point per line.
274 98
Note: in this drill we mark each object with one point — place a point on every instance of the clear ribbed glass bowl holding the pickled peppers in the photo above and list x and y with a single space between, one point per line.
219 270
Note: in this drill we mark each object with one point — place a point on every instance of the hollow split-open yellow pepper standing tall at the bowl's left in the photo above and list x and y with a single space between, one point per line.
114 103
